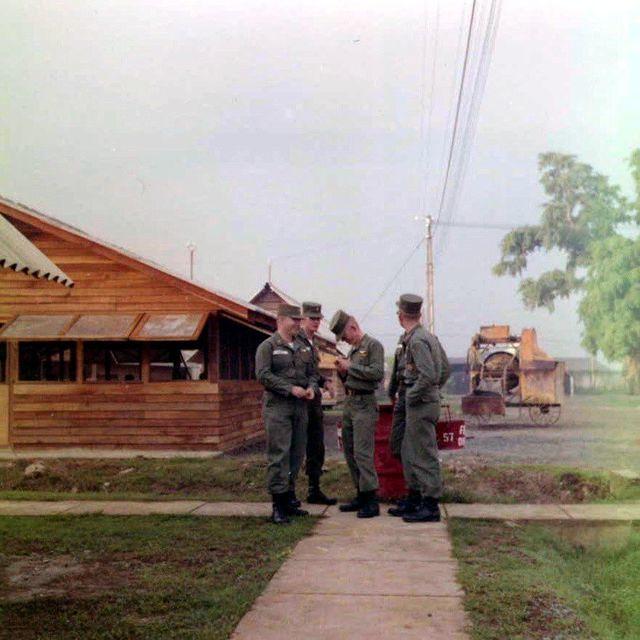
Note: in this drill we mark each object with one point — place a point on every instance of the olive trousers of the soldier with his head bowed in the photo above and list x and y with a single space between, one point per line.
359 419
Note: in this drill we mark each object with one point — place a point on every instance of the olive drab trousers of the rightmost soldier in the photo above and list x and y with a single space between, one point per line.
420 461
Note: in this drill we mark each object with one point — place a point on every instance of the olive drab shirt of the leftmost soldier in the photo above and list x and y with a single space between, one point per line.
281 366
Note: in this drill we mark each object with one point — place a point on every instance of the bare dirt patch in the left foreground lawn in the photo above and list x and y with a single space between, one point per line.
37 576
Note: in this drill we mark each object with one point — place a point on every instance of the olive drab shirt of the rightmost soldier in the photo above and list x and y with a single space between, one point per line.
427 366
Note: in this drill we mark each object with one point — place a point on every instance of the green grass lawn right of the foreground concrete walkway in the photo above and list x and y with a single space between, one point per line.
534 581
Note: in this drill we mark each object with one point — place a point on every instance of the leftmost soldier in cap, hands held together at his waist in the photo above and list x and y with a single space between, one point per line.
285 368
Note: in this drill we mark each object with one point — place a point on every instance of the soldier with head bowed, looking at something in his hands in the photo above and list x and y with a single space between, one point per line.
361 372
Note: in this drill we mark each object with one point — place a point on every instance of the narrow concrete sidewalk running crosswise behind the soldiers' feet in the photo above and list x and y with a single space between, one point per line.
594 512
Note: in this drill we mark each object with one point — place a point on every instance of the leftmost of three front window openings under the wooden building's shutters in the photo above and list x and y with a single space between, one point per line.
47 361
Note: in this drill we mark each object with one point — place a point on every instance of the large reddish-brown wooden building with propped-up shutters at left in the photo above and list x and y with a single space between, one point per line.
129 357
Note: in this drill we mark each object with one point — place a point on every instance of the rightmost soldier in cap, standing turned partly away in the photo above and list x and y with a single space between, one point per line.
426 369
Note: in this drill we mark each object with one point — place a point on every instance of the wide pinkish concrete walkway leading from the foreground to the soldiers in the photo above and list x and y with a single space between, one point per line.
362 580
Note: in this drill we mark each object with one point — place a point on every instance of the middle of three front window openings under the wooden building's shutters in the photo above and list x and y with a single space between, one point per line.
112 362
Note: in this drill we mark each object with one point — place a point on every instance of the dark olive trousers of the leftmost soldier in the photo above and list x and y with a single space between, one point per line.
285 420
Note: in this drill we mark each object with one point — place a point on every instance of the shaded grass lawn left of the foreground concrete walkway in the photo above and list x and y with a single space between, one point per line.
95 577
